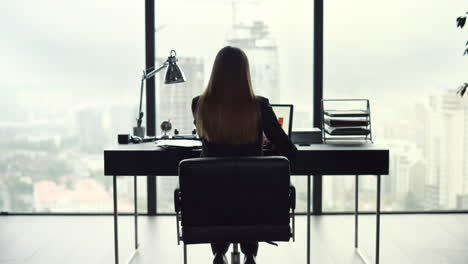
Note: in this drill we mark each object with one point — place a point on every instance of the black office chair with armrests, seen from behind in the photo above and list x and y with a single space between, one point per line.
234 200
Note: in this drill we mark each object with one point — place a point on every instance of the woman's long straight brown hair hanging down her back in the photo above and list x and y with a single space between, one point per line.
227 111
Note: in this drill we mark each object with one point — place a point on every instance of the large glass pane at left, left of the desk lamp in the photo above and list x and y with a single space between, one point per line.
69 85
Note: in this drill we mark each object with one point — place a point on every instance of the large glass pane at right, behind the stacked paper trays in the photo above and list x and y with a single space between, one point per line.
406 58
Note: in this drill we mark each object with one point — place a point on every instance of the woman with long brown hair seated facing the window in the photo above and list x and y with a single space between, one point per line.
231 120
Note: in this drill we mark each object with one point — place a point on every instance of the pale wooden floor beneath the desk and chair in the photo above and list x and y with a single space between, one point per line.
424 239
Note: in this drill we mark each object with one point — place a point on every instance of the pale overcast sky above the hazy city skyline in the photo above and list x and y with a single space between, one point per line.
79 52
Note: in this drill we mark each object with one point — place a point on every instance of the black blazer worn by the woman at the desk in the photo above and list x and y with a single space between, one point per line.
270 126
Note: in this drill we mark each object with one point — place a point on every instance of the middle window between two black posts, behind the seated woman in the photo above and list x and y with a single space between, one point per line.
280 56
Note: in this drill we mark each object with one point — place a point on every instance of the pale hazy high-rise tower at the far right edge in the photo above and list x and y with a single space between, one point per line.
446 147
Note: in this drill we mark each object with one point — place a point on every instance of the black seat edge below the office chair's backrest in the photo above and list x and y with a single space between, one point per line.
235 234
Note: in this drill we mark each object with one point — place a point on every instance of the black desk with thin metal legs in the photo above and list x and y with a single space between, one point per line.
317 159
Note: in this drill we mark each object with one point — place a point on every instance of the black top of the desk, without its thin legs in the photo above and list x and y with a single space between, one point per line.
316 159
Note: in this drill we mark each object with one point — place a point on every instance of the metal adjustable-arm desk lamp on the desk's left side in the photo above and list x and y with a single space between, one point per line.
173 75
